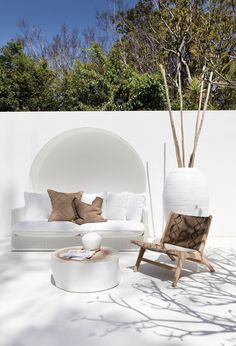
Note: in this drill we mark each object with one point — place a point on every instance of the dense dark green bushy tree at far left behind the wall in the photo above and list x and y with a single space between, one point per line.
26 84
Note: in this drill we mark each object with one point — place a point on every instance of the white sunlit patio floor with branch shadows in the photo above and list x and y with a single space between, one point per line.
143 310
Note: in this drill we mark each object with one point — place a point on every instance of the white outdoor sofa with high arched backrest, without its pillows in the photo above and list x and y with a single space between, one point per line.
87 159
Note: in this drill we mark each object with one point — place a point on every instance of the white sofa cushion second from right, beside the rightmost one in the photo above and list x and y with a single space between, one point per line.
117 206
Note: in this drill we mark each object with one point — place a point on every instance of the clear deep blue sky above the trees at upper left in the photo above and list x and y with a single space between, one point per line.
49 15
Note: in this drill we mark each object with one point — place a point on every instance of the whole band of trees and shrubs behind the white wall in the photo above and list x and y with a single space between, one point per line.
73 73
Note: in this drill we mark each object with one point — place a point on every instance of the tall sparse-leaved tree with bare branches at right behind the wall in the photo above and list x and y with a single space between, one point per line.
184 35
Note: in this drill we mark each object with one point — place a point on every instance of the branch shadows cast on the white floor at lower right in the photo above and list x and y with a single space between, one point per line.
203 304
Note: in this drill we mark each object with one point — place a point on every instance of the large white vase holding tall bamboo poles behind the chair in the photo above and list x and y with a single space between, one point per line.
185 189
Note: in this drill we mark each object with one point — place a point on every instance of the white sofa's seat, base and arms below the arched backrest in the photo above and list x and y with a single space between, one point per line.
39 234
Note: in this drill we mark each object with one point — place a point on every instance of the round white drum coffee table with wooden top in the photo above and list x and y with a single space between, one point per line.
98 273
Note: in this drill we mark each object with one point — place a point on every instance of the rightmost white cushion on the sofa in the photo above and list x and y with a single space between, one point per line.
136 203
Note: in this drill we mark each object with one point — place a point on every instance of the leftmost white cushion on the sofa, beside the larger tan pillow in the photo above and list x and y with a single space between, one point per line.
37 206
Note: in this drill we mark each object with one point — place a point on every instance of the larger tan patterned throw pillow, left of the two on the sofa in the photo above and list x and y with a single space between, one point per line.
62 206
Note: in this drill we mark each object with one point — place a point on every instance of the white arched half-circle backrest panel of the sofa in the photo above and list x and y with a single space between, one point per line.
88 159
